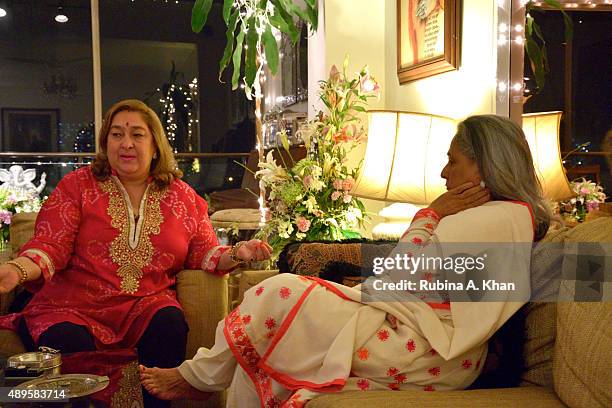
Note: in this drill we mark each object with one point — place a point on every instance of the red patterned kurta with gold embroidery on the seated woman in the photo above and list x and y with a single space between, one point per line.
106 270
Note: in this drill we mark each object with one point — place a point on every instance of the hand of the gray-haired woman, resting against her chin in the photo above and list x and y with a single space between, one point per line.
460 198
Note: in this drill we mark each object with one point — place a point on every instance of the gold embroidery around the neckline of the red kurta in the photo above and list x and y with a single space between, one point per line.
131 259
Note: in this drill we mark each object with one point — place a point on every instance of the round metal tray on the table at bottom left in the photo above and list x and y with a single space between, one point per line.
75 385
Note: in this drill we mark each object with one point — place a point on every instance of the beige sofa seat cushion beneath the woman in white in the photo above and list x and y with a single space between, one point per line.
534 397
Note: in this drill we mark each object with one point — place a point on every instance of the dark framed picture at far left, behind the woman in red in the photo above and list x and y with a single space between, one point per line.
29 130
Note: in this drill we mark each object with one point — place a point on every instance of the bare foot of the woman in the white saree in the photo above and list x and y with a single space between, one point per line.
169 384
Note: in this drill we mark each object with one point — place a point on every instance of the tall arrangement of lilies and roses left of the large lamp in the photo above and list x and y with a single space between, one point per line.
311 200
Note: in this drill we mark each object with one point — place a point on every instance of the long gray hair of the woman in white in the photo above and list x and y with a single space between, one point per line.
504 160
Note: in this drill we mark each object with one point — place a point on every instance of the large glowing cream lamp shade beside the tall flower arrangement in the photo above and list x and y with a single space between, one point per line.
404 157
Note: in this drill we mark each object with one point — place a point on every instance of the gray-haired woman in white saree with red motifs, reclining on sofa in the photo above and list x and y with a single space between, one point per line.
294 337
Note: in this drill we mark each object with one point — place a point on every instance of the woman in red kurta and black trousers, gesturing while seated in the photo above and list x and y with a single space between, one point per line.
108 244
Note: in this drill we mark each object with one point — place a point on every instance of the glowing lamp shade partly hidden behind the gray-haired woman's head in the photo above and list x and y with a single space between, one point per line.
542 132
